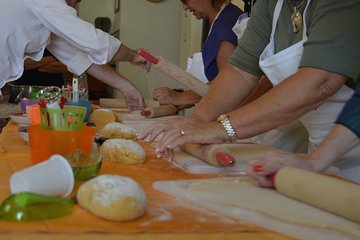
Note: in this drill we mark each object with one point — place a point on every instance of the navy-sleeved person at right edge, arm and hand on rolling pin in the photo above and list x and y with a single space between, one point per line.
341 139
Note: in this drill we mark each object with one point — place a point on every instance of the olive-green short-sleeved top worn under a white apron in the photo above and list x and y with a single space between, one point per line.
333 36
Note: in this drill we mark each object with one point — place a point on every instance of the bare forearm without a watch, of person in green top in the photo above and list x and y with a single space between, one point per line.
227 90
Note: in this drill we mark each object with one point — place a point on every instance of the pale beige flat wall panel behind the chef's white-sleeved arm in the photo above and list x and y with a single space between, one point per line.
155 27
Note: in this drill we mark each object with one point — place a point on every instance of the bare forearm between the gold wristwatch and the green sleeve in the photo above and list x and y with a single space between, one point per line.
297 95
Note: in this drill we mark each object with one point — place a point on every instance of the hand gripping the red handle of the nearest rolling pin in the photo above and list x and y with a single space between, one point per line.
270 163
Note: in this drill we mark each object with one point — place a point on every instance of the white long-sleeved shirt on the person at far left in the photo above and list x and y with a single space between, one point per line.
28 26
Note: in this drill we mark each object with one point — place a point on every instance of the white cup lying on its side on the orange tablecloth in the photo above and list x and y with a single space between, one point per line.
53 177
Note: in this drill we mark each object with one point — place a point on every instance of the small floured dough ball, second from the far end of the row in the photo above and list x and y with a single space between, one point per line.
119 130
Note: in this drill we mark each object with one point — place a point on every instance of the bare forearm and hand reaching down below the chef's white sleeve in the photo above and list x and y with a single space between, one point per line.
106 74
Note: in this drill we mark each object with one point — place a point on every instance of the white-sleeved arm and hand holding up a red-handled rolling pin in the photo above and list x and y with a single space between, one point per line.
77 43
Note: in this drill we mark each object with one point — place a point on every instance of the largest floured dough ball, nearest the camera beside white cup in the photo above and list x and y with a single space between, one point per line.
112 197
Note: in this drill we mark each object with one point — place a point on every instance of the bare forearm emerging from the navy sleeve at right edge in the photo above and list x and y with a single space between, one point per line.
339 141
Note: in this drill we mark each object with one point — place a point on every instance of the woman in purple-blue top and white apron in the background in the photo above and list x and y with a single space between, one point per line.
217 48
